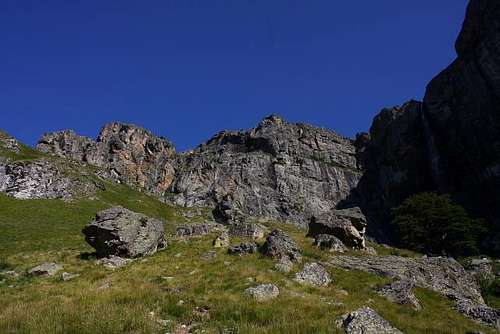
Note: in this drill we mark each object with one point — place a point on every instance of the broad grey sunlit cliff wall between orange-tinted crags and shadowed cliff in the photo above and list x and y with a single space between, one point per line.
279 171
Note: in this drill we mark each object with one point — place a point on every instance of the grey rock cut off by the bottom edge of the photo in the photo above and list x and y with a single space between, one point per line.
366 321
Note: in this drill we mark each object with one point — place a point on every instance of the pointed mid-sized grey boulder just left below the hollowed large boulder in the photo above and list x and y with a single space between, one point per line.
279 245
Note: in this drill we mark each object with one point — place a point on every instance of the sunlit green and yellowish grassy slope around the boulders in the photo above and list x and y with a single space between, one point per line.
35 231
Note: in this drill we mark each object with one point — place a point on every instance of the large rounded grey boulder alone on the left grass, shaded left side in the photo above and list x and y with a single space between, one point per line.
121 232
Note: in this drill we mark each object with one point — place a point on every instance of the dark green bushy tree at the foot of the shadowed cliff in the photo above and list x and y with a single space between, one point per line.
433 224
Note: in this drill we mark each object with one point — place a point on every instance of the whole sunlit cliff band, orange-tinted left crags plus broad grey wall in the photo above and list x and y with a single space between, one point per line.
278 170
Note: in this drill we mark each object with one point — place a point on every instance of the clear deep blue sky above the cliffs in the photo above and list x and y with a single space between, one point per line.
186 69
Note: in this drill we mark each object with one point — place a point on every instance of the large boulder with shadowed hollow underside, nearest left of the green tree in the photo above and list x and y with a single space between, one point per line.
348 225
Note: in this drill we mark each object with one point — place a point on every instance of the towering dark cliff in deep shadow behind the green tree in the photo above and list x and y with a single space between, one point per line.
449 143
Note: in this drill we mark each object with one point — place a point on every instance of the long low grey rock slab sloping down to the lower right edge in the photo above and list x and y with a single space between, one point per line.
443 275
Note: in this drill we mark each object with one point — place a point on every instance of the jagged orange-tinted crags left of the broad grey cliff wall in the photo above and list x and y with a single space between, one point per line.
126 153
